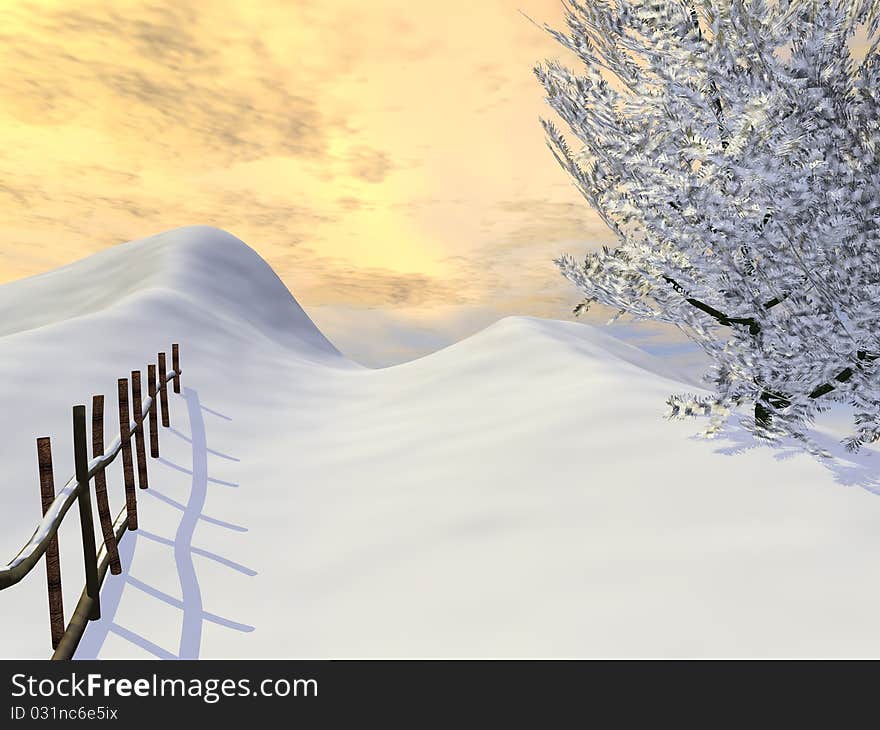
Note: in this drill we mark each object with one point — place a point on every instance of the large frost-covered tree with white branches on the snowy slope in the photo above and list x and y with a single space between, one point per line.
732 148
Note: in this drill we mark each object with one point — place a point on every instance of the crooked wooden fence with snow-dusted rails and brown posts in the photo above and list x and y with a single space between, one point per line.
44 541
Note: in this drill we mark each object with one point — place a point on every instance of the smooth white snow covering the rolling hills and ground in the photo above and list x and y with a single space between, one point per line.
517 494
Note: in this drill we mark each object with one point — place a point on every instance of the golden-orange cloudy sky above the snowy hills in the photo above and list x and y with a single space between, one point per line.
385 158
